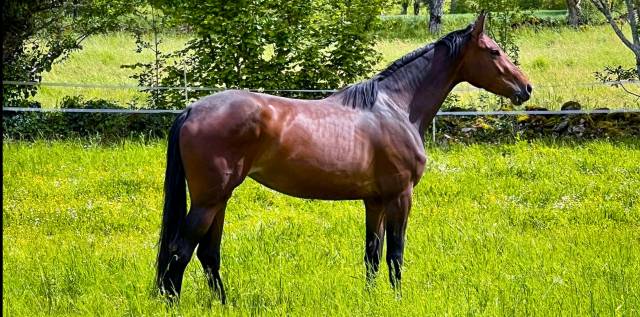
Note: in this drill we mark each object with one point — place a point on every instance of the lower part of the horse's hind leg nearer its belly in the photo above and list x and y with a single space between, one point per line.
209 254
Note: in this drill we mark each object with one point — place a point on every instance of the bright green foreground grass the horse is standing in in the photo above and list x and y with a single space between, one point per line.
516 229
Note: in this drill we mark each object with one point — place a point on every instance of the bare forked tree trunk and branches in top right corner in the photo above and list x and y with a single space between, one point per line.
633 17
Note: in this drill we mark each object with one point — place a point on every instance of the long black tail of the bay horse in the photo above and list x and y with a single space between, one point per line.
175 198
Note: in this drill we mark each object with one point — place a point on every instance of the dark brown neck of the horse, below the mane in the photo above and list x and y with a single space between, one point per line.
420 88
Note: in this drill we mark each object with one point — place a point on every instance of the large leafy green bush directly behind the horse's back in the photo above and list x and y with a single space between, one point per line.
266 45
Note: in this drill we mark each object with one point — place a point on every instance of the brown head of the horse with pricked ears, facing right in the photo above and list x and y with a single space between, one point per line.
485 65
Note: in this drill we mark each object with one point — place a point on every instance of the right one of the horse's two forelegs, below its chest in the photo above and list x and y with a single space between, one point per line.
396 213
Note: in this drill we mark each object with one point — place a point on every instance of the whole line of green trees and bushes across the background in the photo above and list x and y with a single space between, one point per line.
260 44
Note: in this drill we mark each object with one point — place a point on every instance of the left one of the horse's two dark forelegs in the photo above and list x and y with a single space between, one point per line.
374 237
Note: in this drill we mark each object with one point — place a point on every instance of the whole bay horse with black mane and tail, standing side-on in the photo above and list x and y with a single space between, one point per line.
365 142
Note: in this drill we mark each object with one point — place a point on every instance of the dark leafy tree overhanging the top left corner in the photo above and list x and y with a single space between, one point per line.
37 33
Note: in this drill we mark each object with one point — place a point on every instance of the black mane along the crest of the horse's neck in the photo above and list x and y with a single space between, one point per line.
363 95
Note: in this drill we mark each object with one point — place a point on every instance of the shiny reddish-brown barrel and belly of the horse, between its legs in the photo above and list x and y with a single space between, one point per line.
330 162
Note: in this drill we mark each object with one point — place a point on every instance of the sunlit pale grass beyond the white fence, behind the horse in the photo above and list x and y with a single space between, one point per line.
558 61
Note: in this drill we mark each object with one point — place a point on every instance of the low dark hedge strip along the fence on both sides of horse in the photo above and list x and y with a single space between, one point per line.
110 126
